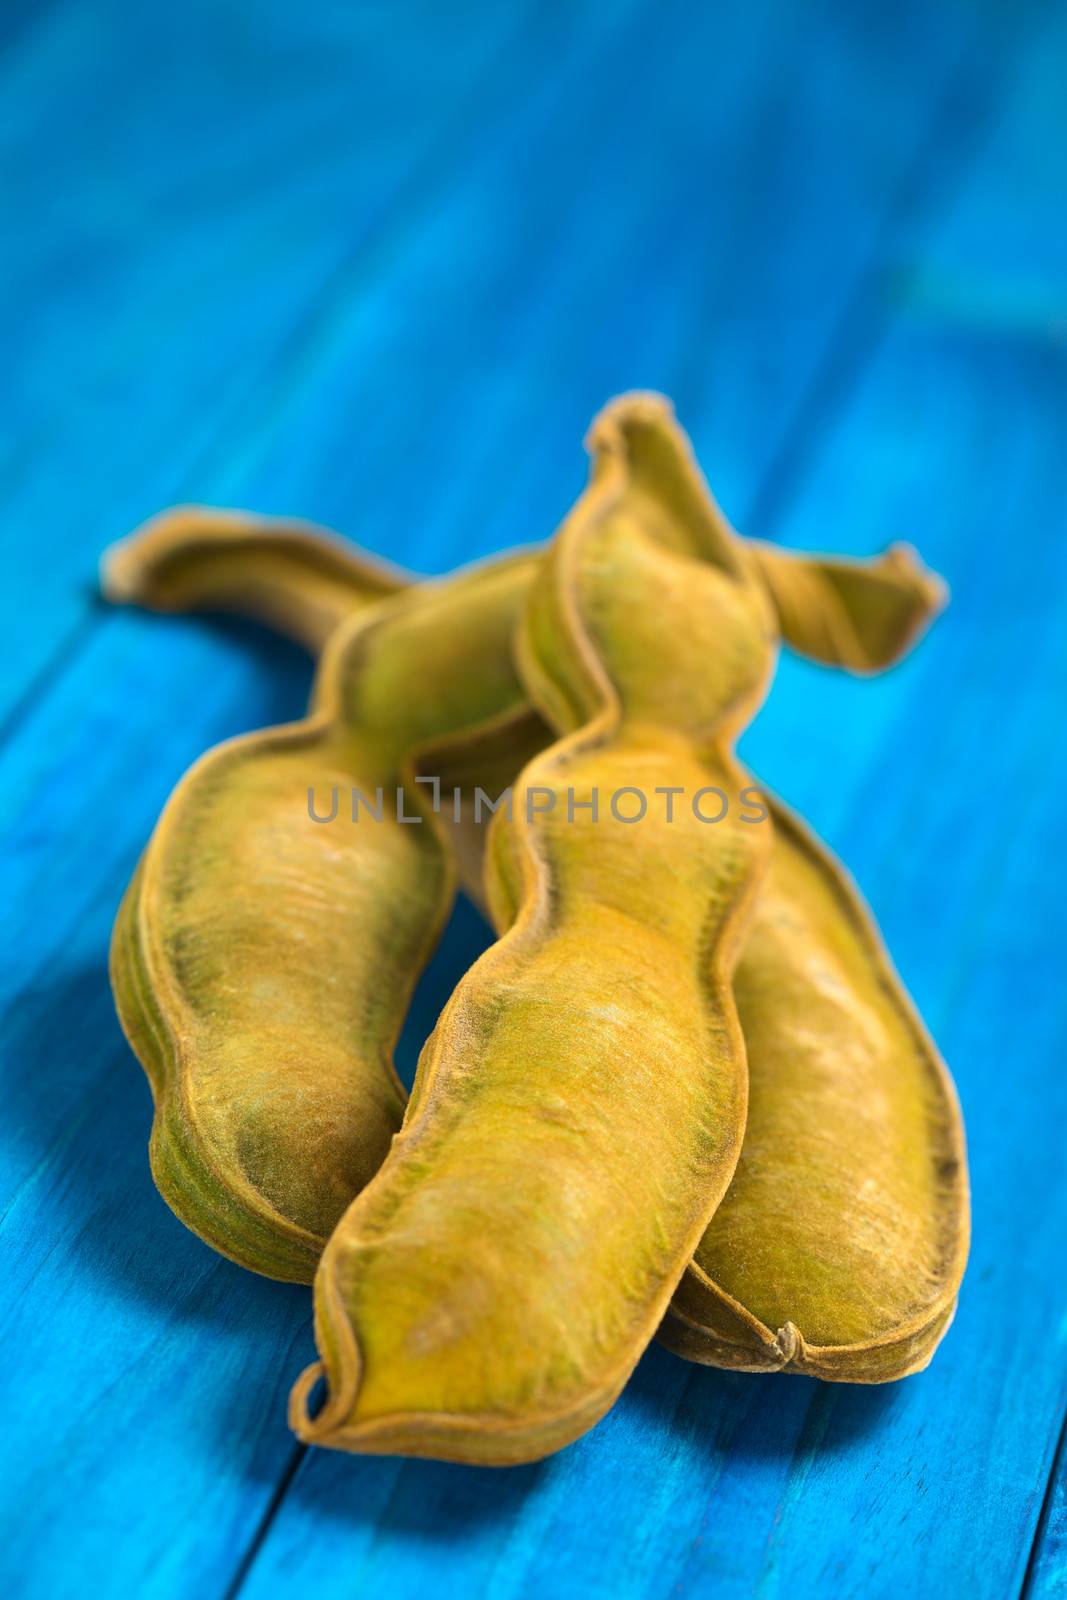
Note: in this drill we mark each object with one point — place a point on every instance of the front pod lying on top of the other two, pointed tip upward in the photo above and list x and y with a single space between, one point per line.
580 1110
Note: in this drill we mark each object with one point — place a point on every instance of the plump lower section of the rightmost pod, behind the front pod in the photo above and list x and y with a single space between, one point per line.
841 1246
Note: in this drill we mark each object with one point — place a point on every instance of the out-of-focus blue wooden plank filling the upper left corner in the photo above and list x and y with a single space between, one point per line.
214 183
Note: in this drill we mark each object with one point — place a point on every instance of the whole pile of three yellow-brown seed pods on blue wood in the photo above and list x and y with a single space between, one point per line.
682 1095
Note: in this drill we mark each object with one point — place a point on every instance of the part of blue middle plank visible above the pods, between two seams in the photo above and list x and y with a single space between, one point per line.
580 247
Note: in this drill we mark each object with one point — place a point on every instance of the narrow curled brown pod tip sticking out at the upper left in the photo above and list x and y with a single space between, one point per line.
294 575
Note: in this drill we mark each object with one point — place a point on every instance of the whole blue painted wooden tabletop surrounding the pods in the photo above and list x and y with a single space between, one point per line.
378 265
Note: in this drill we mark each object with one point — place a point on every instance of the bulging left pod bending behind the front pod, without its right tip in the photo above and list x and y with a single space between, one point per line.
263 962
